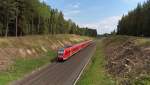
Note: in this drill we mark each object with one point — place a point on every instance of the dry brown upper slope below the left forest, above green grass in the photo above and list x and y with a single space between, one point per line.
32 46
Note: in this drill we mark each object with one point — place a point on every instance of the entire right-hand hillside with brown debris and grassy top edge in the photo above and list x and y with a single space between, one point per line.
128 59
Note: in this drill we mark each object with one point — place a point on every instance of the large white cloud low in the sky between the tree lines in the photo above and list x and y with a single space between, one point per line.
106 25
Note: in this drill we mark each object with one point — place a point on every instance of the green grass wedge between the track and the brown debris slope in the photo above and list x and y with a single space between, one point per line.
95 73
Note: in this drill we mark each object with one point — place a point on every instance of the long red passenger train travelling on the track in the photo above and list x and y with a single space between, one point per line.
68 51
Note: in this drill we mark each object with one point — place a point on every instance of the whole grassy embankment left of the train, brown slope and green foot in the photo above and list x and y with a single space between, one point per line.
29 53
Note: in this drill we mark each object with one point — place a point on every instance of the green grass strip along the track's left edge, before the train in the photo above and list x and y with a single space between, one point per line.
24 66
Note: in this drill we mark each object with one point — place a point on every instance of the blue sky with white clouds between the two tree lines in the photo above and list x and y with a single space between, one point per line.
102 15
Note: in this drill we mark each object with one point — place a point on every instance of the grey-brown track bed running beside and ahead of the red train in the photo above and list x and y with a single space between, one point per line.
64 73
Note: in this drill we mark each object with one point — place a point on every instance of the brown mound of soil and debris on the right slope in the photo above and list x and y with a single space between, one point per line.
128 61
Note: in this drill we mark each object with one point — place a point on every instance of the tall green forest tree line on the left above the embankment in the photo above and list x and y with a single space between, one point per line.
32 17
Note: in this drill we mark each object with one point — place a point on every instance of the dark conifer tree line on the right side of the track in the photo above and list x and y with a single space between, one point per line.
136 22
